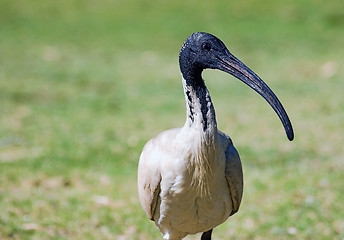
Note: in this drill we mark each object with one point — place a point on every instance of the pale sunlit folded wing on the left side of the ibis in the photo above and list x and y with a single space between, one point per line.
149 178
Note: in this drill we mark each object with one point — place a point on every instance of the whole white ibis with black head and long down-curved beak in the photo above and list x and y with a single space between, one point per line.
190 179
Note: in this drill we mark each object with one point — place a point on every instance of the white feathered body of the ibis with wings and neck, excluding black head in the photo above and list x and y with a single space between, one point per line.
183 171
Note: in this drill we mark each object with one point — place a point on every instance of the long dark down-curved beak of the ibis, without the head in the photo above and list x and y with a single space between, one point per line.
230 64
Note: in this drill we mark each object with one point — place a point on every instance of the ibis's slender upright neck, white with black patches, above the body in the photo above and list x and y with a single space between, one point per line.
199 107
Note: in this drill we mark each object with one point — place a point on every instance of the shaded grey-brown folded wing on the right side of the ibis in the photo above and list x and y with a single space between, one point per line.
234 176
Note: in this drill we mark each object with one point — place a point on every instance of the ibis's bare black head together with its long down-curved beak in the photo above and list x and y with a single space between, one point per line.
203 50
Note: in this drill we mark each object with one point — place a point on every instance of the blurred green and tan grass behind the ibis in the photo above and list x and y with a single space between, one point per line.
85 84
